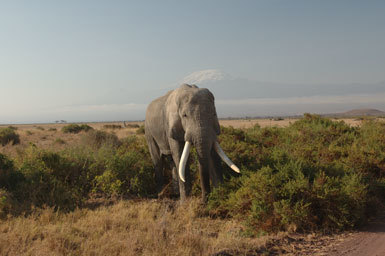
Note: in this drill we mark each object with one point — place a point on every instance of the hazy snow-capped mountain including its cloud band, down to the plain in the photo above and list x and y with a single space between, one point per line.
239 97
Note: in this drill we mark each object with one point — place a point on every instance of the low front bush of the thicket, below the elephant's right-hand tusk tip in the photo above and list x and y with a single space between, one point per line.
285 199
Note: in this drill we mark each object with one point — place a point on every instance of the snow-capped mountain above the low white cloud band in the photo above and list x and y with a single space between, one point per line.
224 86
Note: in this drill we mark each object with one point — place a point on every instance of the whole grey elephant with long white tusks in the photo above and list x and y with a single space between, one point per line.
183 117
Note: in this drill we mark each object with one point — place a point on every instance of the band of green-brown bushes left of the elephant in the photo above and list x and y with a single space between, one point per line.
66 179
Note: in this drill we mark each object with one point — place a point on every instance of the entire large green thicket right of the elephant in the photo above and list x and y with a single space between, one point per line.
315 174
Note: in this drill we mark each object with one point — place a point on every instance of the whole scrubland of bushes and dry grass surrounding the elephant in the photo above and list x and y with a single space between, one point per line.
91 191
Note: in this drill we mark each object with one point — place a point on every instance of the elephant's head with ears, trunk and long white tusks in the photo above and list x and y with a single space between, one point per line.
193 119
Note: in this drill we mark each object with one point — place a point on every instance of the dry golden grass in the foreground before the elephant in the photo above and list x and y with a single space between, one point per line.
126 228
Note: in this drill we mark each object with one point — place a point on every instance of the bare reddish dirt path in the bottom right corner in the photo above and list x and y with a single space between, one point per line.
370 241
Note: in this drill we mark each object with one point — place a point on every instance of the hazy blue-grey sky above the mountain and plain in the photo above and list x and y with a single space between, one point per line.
96 60
